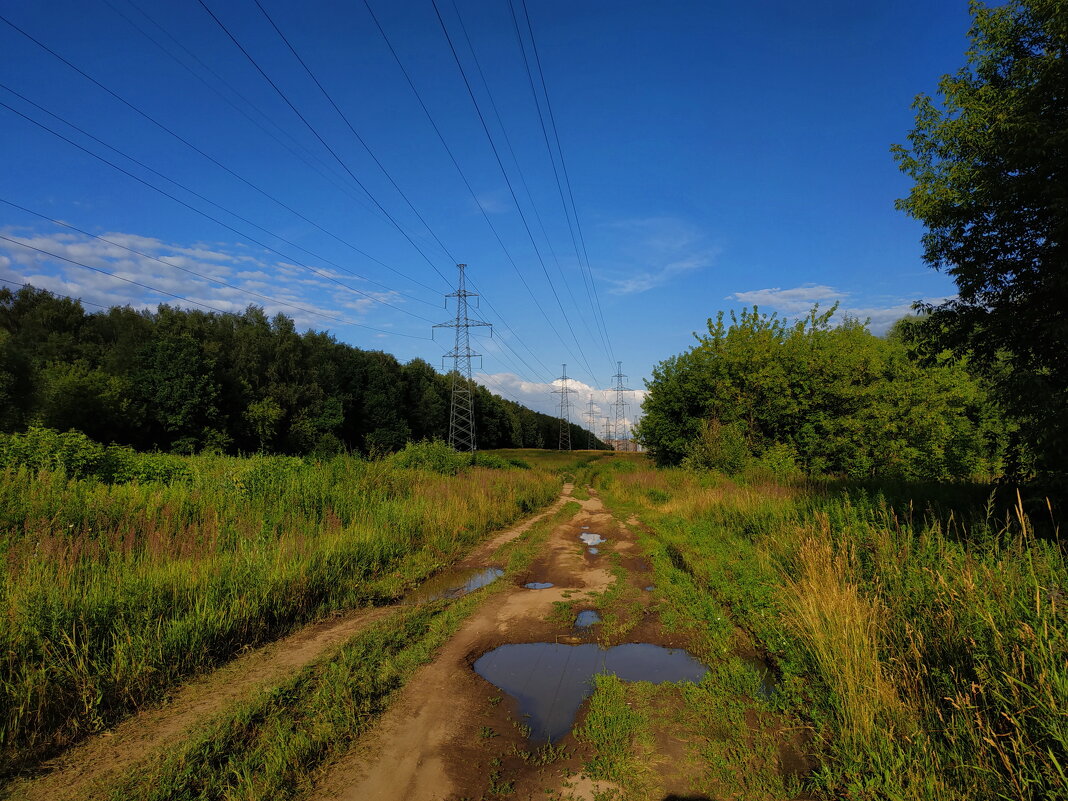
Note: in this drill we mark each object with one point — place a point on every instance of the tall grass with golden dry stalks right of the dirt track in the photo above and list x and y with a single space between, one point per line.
929 649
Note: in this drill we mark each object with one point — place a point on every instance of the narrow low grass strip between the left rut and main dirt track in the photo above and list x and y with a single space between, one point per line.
273 747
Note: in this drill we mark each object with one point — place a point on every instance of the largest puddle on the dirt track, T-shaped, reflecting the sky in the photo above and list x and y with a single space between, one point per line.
551 681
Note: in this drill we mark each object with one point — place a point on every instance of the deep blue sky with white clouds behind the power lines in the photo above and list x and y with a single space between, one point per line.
719 155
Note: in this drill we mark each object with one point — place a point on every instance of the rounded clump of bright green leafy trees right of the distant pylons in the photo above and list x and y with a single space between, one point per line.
829 399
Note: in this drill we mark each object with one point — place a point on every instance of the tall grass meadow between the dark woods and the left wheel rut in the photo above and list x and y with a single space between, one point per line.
113 592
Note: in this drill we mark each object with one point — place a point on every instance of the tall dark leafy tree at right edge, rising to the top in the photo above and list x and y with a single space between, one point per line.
991 166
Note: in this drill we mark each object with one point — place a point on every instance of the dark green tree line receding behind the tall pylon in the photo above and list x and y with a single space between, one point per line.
187 382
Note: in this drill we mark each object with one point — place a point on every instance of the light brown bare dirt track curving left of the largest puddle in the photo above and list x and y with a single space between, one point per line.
431 744
